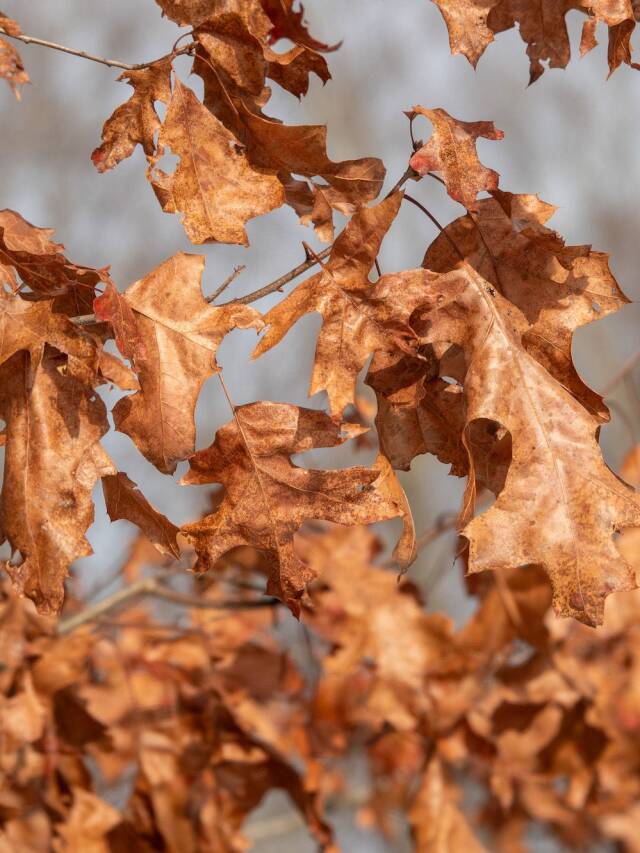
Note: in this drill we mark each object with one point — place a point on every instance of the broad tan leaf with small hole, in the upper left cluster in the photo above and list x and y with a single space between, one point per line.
214 186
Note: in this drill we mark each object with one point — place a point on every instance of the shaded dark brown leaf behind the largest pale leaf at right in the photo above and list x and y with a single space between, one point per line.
558 288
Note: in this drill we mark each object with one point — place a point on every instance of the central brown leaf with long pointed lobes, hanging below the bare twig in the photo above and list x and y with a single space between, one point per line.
355 322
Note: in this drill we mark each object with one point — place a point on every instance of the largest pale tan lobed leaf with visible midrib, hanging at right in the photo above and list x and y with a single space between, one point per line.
560 506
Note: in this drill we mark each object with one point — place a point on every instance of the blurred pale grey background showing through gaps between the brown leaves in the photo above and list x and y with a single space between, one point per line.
572 138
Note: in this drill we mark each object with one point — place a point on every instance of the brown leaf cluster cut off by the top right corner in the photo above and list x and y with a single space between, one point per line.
473 25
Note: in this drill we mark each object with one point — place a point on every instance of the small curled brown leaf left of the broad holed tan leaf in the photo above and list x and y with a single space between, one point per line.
135 122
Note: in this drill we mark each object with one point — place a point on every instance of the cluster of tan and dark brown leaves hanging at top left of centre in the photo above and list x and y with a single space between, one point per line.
236 162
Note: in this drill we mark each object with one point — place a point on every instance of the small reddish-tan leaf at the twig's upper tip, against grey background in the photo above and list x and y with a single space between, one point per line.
451 150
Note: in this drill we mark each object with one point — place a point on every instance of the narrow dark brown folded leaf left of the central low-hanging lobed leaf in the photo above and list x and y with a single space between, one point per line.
124 500
